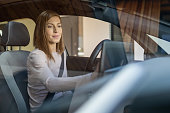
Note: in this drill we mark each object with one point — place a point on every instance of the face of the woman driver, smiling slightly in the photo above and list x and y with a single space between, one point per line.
53 30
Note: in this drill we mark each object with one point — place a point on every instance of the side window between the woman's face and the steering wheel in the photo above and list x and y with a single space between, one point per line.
82 34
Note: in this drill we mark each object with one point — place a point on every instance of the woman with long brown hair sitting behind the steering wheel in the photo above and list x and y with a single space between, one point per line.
44 62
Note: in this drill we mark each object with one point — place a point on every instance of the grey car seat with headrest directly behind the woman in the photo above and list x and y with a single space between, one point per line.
13 72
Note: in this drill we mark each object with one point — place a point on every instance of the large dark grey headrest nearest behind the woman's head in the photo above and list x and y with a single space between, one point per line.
15 34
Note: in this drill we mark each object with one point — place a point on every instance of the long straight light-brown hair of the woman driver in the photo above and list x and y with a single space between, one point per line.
40 39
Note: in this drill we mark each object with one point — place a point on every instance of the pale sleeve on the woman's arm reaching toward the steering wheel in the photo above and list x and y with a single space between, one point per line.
41 72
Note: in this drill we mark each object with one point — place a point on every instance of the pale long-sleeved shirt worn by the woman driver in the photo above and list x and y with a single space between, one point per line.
43 77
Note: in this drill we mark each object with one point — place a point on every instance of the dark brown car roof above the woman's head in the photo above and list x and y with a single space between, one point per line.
14 9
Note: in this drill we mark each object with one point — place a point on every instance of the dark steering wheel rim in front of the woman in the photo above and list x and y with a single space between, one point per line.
91 64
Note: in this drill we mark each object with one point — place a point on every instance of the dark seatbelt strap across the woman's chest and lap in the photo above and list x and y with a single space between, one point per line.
50 96
